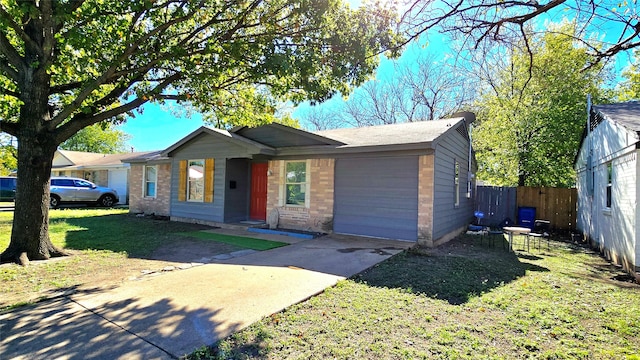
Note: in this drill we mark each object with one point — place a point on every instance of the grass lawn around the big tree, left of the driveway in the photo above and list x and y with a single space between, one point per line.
108 246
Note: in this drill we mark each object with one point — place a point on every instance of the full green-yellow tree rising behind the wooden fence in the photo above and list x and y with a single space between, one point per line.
530 121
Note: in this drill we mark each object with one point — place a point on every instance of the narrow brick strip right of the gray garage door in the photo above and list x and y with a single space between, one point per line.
425 200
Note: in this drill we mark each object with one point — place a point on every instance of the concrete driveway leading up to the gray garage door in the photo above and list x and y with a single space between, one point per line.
172 314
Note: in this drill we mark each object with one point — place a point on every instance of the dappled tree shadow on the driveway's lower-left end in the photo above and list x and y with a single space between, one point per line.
66 327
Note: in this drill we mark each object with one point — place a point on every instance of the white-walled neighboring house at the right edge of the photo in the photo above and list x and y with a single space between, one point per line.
608 182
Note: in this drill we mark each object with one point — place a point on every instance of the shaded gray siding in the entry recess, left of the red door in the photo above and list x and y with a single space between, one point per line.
236 201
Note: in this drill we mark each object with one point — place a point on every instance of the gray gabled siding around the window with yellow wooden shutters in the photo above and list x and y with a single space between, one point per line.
202 147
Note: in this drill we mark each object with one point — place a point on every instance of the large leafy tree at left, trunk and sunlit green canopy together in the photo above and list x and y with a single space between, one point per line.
66 65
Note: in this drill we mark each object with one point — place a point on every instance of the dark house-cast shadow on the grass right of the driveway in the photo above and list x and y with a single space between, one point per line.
449 274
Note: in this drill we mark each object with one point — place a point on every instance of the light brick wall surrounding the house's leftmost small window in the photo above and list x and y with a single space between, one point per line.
158 205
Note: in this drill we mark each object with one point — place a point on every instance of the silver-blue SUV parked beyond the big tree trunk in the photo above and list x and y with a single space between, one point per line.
66 190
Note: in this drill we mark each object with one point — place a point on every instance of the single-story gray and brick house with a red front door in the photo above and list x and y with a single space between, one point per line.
407 181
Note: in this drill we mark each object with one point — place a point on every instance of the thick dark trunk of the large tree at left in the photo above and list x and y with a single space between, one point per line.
36 146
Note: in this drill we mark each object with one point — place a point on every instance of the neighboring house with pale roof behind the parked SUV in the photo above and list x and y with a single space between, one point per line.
110 170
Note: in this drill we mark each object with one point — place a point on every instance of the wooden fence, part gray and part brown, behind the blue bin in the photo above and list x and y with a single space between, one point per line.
557 205
